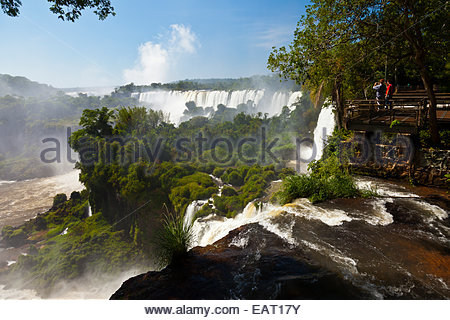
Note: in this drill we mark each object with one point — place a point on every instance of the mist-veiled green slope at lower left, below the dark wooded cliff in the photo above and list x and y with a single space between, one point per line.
70 244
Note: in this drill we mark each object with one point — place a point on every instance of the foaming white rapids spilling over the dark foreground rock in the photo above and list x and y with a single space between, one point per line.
212 228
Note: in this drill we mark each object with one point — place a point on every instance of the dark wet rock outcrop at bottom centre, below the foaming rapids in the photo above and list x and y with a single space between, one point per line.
249 263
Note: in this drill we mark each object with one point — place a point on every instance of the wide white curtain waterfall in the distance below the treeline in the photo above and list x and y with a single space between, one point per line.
173 102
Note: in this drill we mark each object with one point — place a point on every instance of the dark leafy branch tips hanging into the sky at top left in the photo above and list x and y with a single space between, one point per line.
65 9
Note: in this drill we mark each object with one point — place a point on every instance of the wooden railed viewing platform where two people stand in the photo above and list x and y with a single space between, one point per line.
409 113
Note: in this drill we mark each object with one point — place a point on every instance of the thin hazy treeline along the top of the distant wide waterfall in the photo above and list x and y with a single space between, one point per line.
251 83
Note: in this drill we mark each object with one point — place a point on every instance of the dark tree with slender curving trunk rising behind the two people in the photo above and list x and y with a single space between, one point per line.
421 25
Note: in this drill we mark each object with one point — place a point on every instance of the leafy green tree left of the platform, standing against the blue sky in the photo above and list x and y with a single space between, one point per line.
324 51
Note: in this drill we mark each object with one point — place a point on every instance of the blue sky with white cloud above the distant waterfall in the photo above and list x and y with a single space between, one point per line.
147 41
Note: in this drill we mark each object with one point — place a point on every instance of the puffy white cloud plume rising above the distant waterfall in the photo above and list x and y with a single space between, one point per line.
157 60
